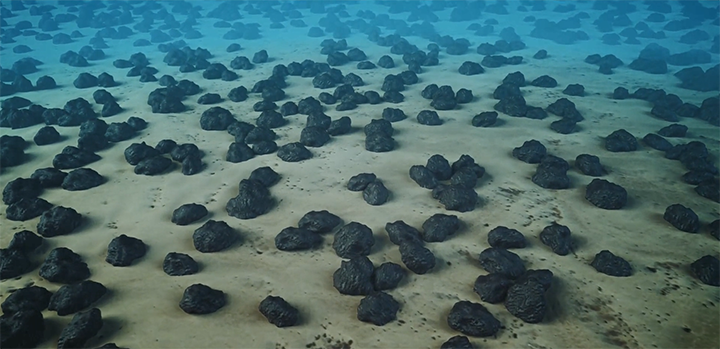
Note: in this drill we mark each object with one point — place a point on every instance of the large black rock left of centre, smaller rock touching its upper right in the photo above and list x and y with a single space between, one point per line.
253 200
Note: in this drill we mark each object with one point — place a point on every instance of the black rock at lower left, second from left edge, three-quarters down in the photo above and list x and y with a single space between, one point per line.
64 266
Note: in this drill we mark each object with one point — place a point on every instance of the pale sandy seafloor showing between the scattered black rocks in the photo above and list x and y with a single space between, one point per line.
668 308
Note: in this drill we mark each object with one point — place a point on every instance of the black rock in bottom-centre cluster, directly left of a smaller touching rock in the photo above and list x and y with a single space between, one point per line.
354 277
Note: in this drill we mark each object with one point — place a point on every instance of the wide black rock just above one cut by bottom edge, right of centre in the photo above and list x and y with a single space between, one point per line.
472 319
